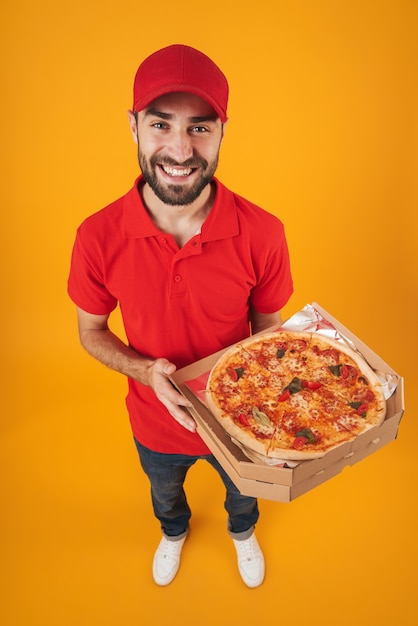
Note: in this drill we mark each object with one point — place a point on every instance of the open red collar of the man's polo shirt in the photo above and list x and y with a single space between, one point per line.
221 223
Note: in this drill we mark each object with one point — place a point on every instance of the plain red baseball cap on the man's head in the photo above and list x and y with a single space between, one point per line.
181 68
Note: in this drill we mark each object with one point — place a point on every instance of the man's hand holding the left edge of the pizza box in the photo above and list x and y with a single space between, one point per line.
158 373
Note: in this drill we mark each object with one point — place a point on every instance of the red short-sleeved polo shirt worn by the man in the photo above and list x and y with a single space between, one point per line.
179 303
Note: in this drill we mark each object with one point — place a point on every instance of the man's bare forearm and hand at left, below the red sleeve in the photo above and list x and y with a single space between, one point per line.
101 343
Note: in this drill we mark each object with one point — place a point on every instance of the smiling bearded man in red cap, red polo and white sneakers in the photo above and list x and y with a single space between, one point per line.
194 268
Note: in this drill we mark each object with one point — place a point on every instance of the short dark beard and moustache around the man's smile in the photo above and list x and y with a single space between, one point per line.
176 195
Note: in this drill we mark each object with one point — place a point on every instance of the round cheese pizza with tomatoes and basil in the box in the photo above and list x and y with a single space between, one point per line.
294 395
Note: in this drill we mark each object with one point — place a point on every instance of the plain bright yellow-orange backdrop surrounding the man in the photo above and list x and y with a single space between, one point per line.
323 133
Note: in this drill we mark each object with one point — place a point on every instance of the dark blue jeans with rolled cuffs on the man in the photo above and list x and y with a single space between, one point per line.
167 472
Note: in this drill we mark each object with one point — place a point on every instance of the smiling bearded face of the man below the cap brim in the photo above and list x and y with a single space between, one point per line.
178 136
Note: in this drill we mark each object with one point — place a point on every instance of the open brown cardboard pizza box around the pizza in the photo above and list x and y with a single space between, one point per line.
284 484
